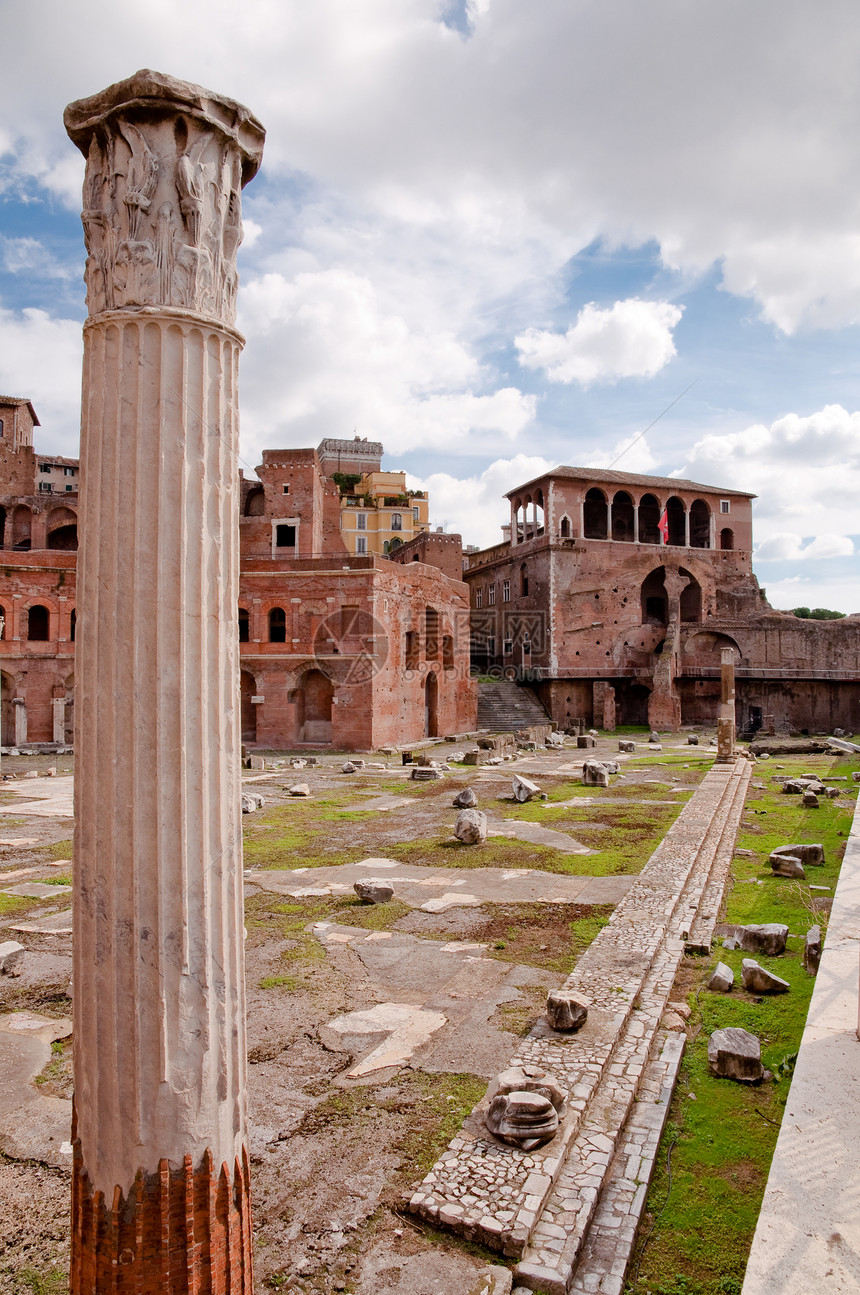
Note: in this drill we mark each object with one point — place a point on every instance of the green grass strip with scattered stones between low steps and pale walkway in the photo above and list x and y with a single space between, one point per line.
725 1139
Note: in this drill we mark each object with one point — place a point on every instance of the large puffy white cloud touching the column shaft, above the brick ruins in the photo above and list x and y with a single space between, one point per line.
328 357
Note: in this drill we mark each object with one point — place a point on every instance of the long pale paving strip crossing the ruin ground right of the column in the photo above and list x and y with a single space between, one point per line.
438 889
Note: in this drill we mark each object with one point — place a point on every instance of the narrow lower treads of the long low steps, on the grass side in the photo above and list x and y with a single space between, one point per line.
591 1183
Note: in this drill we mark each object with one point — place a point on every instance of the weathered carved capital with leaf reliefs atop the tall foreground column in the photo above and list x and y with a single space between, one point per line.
166 165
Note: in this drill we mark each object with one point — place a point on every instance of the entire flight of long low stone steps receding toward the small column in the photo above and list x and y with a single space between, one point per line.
569 1211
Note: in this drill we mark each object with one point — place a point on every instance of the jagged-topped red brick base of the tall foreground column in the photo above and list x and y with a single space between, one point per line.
178 1232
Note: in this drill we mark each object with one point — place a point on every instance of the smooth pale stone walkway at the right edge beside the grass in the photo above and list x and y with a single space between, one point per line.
809 1233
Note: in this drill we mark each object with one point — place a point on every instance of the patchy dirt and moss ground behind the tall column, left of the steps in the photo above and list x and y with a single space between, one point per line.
335 1154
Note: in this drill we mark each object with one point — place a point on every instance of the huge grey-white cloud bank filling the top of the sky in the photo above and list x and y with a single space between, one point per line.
653 122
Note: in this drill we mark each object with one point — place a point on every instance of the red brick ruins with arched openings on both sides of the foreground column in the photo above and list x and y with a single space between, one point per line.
337 649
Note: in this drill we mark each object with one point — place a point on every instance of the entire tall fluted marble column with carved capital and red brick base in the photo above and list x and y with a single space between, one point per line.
161 1170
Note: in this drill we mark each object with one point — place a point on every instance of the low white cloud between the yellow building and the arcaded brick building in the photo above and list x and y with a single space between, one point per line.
476 507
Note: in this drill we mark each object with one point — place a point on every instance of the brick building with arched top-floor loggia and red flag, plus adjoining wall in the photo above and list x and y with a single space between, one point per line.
613 626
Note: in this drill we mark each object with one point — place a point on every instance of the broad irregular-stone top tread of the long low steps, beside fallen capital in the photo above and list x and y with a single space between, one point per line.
495 1193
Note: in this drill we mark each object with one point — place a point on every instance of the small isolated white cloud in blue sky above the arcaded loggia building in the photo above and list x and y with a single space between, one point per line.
631 340
